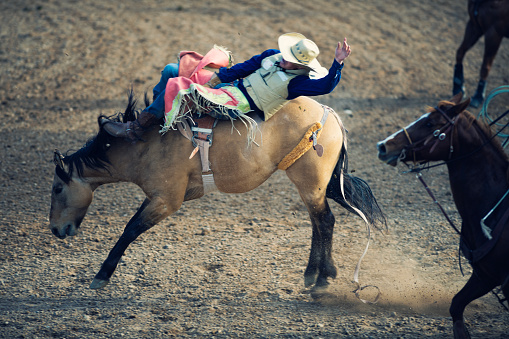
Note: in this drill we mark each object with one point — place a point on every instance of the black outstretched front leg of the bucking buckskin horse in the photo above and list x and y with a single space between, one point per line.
150 213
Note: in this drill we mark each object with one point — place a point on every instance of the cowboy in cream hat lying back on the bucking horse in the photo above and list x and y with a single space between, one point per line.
266 82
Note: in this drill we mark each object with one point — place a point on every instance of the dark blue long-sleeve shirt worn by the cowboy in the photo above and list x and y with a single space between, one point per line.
300 85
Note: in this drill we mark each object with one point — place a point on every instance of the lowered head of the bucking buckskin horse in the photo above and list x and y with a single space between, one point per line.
70 199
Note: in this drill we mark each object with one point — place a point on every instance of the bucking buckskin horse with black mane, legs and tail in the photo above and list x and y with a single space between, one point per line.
161 166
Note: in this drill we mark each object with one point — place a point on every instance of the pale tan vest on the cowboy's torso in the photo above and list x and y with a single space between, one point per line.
268 86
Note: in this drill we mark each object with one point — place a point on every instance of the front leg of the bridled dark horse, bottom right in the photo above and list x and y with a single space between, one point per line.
475 288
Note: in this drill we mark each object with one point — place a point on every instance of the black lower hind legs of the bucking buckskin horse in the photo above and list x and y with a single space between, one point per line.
321 265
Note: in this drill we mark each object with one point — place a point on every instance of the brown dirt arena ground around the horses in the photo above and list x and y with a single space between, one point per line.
227 265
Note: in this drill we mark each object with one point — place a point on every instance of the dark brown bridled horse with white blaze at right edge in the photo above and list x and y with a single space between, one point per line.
478 174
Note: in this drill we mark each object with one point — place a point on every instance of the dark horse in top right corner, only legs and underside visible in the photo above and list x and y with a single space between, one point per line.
491 19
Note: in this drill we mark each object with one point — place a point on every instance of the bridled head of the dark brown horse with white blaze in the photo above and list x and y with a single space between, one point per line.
429 138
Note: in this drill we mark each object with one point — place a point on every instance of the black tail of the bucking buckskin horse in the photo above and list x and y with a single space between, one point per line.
357 193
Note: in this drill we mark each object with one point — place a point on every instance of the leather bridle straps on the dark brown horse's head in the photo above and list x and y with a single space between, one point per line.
439 135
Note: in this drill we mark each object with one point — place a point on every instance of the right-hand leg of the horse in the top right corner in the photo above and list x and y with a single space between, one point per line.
492 41
